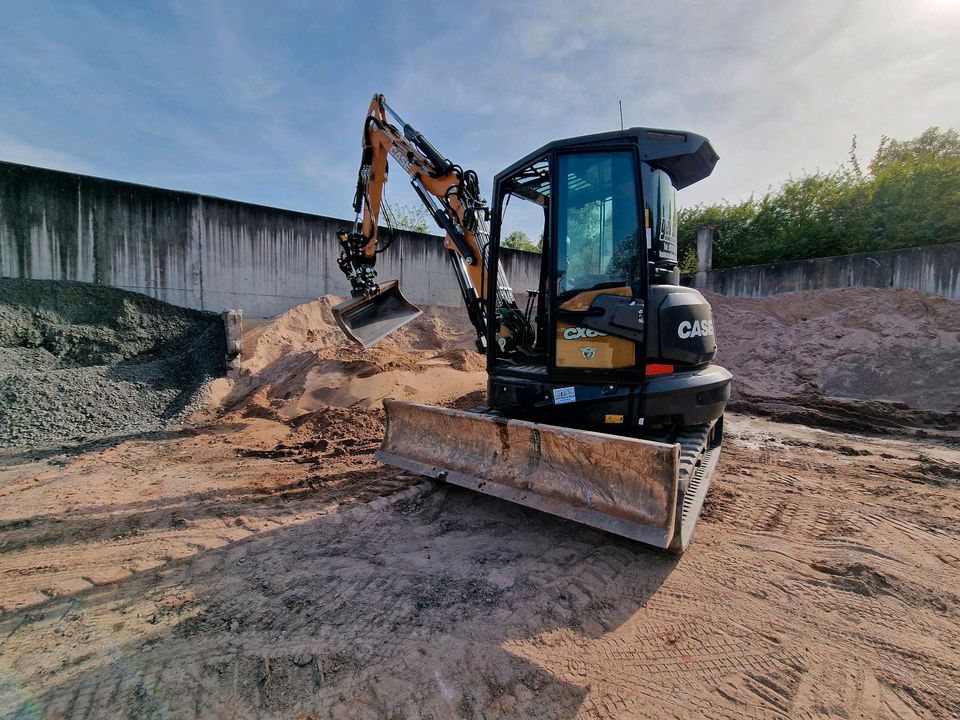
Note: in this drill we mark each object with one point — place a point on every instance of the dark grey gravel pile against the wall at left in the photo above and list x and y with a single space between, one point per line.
80 362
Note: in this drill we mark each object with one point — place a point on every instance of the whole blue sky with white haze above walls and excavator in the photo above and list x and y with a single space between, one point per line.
264 101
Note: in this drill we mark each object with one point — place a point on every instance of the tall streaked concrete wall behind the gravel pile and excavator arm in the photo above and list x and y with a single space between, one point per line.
197 251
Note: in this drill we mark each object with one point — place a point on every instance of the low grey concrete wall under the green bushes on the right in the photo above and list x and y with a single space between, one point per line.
933 269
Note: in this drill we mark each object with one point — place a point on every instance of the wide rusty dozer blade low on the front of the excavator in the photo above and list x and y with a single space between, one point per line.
622 485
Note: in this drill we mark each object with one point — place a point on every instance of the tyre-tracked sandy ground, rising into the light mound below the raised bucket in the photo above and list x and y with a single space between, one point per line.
260 564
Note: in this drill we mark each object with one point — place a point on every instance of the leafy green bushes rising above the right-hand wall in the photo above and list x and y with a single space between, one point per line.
909 196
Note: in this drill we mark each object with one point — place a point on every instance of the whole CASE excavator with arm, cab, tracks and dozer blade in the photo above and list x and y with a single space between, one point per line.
603 406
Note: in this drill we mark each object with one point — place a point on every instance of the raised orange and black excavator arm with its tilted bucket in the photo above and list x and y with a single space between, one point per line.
451 196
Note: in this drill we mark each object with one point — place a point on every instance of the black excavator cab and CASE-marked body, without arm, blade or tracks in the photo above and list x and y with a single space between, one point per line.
612 333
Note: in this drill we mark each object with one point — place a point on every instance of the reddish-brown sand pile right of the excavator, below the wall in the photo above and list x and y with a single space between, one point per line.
888 355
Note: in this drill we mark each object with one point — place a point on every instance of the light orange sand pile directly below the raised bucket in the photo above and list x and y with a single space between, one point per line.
300 364
